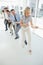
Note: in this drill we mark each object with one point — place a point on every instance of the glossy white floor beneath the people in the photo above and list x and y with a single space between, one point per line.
12 53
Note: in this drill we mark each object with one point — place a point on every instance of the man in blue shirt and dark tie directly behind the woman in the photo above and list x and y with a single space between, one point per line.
16 22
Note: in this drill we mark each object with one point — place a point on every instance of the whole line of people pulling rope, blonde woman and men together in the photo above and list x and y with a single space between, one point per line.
14 21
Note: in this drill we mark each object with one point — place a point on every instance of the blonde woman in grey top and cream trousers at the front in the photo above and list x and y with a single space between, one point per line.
25 22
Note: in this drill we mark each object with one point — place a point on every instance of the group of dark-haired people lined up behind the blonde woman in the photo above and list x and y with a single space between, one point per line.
11 21
